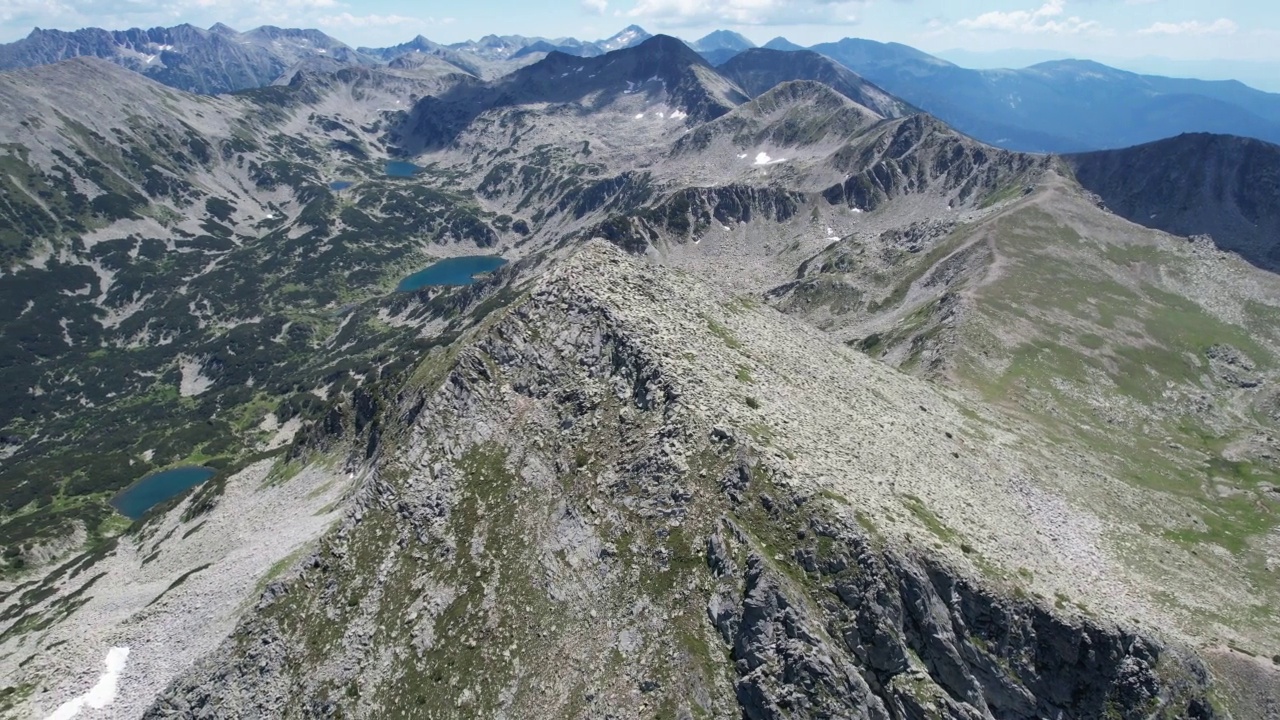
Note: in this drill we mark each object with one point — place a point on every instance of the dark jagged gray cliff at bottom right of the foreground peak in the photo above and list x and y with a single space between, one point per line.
909 639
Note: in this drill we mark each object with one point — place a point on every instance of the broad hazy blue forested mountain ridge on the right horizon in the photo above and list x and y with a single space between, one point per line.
1064 106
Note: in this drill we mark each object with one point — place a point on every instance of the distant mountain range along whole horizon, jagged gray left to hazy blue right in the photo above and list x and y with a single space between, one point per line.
1055 107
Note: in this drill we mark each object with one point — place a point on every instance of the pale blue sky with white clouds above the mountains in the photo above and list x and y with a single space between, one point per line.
1180 30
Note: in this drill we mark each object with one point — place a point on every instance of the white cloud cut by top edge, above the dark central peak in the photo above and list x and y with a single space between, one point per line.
683 13
